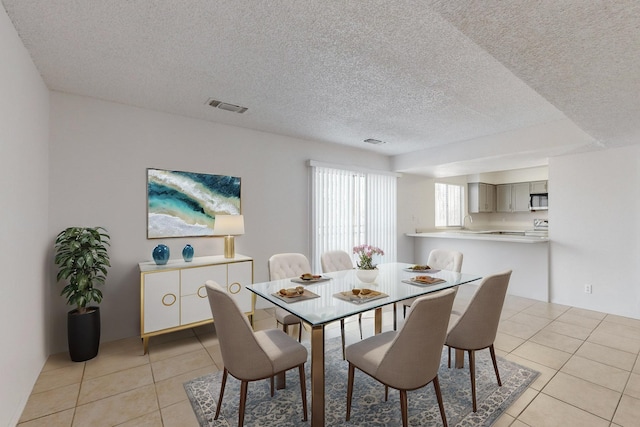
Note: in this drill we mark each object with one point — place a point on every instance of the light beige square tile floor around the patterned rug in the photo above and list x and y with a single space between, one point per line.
588 364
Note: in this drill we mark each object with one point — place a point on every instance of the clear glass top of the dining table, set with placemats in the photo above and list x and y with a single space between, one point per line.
335 300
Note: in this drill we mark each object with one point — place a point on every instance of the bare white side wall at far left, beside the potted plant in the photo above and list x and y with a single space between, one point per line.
24 246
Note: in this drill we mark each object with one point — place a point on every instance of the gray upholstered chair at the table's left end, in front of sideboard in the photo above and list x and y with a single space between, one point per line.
248 355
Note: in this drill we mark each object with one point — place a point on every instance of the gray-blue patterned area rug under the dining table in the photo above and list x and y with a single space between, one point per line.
368 407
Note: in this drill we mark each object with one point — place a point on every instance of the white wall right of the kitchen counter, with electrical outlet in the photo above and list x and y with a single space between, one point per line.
594 230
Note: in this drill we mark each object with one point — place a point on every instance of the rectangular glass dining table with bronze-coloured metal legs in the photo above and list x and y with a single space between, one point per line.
330 298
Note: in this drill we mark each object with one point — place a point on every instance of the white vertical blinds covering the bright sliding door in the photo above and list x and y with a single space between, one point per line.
351 208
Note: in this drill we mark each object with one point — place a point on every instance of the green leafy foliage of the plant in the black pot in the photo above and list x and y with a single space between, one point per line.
82 259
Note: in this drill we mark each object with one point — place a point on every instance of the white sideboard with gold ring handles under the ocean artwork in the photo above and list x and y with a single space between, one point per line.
173 296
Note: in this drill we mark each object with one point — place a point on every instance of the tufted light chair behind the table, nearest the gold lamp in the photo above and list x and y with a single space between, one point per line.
285 266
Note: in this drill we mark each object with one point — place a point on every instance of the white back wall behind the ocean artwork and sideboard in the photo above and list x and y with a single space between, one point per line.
99 155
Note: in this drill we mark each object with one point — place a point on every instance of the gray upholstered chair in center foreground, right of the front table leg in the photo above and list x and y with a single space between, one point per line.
409 358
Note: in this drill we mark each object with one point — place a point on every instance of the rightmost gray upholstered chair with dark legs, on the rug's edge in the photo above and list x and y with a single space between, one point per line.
476 328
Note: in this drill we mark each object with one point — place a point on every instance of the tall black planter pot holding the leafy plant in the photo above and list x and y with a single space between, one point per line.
83 334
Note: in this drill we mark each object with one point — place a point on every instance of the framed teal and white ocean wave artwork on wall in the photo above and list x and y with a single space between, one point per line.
185 204
